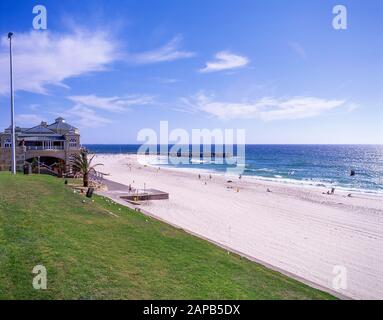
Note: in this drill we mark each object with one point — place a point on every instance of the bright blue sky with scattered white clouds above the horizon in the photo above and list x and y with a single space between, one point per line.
275 68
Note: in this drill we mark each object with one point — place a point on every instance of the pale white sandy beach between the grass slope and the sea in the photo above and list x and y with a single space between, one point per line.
295 228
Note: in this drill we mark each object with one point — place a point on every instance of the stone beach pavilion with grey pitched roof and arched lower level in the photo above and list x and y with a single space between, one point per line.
50 145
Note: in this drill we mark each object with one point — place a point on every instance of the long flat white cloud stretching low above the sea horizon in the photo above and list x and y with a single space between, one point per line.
266 109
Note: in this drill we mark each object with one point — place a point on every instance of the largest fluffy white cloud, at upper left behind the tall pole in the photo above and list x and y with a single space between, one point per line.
45 58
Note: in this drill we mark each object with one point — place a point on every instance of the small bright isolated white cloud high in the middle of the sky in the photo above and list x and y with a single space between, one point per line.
225 61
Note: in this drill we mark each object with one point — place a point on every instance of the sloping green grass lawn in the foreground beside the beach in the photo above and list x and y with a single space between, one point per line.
89 254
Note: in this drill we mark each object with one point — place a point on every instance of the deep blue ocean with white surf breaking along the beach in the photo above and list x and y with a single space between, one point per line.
318 165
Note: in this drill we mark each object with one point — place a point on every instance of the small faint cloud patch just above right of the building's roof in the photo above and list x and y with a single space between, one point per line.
85 117
